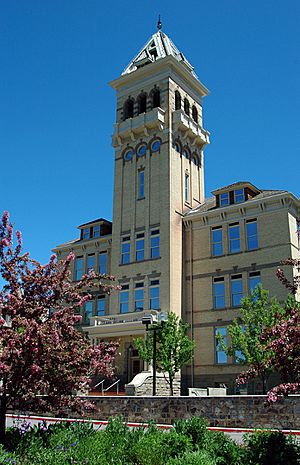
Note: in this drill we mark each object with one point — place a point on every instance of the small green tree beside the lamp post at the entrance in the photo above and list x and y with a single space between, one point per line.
174 348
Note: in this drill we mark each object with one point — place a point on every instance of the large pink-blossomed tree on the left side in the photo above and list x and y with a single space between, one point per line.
41 351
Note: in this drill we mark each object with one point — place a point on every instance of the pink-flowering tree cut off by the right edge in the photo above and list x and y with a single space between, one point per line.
283 340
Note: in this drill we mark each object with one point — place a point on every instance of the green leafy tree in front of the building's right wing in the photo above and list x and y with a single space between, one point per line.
246 345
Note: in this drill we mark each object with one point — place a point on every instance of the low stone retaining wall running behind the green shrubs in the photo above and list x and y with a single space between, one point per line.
230 411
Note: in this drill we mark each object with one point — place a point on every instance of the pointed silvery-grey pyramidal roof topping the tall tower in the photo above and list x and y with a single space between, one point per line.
158 46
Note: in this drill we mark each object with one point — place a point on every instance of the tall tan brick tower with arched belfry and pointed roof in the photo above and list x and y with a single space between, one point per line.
159 174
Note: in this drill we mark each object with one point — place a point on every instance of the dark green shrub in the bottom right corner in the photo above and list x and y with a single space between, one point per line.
271 448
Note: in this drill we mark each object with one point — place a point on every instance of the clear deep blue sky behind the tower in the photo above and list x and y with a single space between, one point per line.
57 111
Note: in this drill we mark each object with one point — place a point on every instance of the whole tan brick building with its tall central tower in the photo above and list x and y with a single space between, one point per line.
169 247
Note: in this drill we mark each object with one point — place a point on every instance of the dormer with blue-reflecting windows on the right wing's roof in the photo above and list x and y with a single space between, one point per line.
238 192
